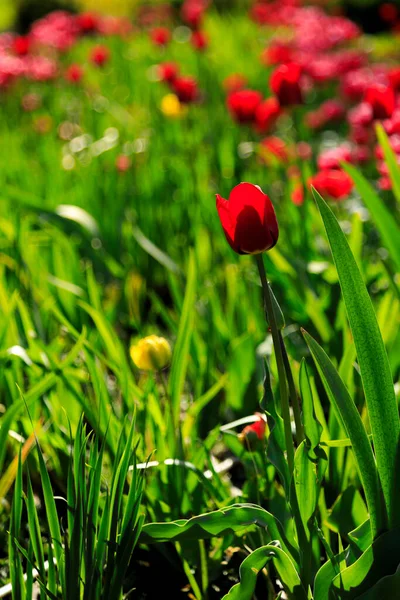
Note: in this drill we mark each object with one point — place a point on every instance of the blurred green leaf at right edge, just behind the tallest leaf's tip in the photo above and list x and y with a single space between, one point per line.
384 222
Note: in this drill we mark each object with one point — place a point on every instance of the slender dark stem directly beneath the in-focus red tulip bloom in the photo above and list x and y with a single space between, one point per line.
279 362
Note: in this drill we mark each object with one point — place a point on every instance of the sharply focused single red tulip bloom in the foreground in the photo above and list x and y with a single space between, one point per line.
248 219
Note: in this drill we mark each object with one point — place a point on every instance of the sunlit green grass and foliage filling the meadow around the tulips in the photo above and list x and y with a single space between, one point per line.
103 464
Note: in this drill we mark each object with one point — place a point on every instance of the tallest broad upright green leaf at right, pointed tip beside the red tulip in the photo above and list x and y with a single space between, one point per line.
373 361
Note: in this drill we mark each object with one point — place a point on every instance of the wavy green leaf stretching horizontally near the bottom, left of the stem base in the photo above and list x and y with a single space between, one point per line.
218 523
